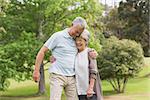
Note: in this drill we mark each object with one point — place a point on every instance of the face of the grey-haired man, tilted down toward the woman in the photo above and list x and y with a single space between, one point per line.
76 30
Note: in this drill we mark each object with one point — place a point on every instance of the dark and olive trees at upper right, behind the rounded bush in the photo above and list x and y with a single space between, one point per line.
131 21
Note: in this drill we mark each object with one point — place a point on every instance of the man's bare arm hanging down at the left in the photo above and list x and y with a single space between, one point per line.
39 59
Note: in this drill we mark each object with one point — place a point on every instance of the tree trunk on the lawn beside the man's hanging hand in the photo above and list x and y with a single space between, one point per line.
42 80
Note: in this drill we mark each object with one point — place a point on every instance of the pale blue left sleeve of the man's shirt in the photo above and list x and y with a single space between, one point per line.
51 43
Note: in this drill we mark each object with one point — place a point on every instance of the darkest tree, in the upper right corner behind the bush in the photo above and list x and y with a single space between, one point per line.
136 14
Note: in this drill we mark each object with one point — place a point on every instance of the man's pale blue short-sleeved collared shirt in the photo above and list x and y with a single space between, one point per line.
64 50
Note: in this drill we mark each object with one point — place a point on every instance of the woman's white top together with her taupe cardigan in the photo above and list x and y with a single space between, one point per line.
85 69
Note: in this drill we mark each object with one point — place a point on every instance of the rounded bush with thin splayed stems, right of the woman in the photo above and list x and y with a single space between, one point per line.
120 60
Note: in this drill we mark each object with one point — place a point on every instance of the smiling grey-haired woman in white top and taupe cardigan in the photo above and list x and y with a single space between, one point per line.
87 77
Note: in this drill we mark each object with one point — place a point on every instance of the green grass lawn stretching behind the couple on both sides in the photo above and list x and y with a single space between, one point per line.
137 88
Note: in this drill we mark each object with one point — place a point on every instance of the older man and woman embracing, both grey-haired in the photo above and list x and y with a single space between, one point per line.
74 68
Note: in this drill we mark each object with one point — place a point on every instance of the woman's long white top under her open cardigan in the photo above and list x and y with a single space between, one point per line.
82 72
